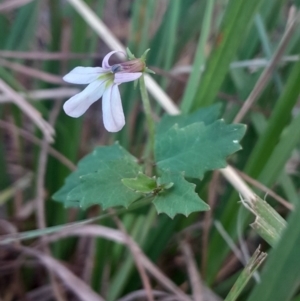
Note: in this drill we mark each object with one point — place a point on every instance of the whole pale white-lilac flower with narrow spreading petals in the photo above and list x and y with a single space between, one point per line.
102 82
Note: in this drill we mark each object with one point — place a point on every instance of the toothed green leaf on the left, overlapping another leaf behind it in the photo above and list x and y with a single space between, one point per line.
105 186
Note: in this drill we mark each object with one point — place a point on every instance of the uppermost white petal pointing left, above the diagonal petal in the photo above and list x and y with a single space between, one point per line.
83 75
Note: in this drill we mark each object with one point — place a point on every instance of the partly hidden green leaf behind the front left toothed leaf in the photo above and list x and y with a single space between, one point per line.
89 164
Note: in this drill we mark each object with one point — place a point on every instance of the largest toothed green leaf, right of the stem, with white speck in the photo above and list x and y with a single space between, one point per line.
197 148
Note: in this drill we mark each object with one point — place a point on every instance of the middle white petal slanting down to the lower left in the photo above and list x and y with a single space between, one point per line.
79 103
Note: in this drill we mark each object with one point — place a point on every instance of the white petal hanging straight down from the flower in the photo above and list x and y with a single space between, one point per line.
113 115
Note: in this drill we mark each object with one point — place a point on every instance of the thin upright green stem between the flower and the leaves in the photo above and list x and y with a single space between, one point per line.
147 109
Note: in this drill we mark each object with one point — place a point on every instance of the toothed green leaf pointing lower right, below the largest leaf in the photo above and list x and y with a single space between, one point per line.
181 198
